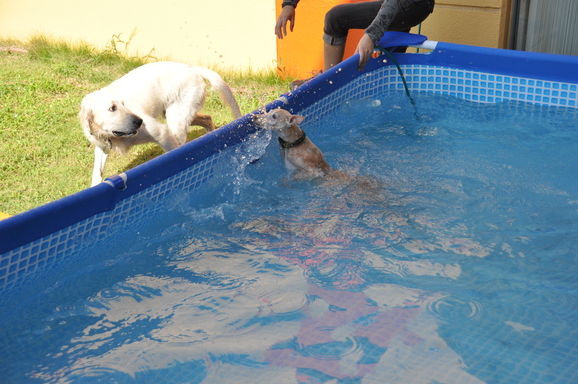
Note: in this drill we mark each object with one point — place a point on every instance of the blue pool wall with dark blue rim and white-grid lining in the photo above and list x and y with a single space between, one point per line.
36 241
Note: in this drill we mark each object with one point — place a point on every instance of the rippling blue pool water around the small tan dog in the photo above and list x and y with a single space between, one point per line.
447 256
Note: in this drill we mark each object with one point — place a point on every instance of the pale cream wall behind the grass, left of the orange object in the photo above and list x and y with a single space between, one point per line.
233 34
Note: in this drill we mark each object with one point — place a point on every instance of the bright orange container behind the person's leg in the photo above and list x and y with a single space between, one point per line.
300 53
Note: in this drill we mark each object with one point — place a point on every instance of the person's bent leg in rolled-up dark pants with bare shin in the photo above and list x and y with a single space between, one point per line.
338 21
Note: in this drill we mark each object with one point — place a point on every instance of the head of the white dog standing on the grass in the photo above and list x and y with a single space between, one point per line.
104 118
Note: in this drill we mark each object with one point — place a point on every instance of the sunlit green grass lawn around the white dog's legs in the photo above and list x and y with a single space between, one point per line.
44 155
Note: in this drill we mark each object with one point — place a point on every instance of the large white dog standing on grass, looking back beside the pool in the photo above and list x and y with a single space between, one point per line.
127 112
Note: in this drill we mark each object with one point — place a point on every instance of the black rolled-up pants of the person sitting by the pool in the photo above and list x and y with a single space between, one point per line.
341 18
